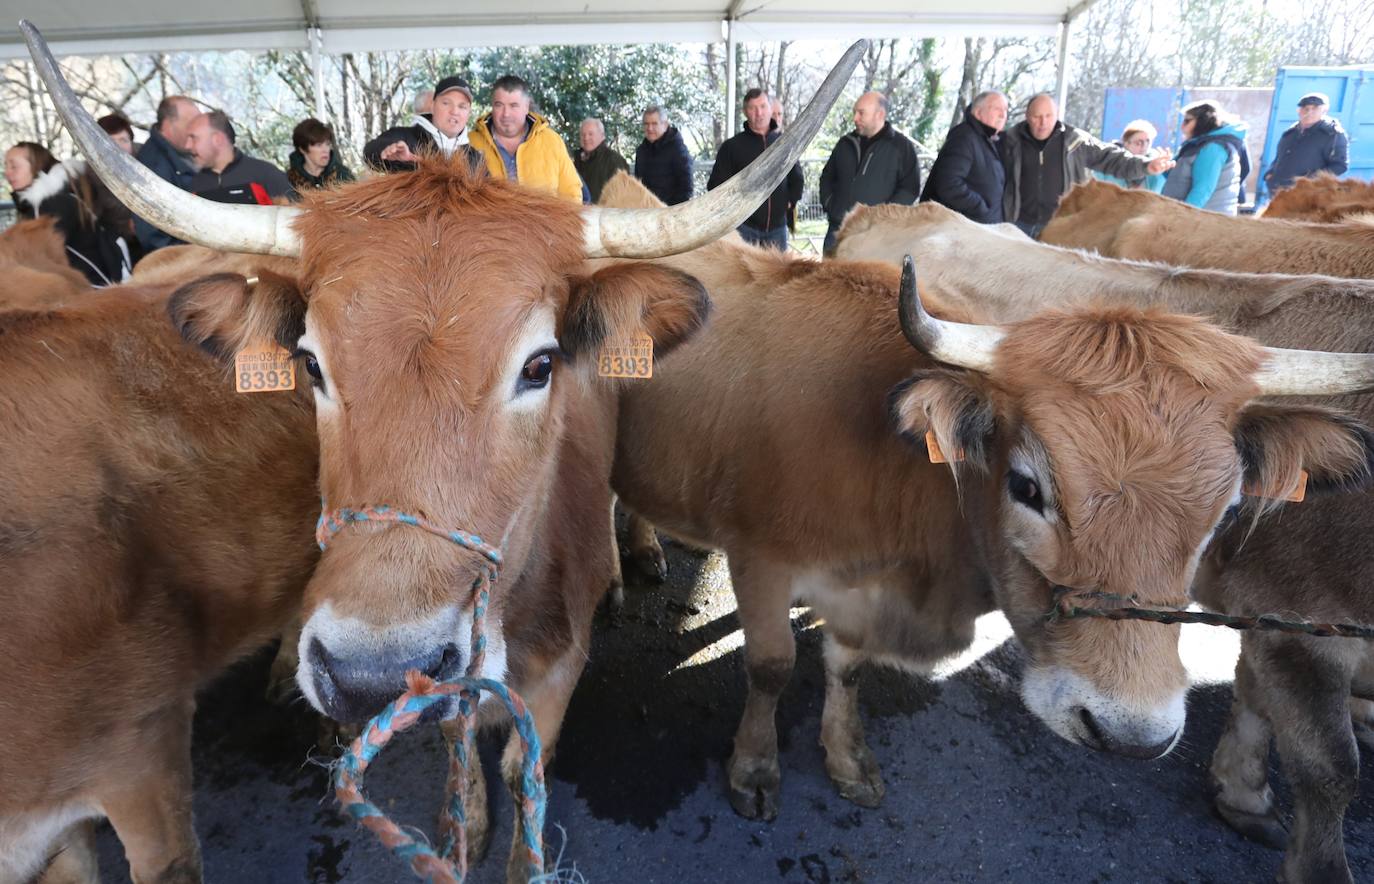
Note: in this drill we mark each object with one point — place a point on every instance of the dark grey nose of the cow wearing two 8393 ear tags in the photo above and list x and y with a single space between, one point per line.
354 689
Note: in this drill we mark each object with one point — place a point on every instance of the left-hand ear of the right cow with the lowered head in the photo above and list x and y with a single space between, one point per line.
954 406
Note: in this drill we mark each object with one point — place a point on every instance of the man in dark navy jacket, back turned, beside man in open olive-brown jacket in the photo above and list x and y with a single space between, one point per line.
968 174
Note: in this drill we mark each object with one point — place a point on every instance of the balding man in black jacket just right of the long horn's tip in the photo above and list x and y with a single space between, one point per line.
875 164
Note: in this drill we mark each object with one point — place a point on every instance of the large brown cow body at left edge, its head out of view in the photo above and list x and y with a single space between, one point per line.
192 508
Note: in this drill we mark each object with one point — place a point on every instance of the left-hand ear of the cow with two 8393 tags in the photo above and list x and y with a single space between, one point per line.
226 313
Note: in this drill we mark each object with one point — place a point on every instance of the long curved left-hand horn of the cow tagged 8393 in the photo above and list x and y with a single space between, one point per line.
264 230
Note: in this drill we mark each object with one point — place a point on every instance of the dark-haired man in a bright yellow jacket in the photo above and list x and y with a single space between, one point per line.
521 146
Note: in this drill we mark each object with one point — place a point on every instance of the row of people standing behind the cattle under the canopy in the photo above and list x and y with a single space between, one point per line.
983 171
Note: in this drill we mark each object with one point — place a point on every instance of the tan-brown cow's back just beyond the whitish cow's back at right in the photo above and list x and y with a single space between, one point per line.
1147 228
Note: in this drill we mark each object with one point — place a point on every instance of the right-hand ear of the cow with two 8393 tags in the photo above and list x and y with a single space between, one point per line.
620 303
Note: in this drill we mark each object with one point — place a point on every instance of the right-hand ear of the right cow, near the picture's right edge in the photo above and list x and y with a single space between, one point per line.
1277 443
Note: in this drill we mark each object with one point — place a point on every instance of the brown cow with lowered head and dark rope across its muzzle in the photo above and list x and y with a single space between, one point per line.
1101 450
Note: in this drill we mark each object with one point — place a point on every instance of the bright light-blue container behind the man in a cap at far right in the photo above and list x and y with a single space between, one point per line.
1351 91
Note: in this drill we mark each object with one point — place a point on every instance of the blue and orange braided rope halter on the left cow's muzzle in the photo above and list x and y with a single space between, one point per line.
457 699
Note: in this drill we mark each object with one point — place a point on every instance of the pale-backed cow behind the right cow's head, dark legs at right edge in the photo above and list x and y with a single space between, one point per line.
1313 563
